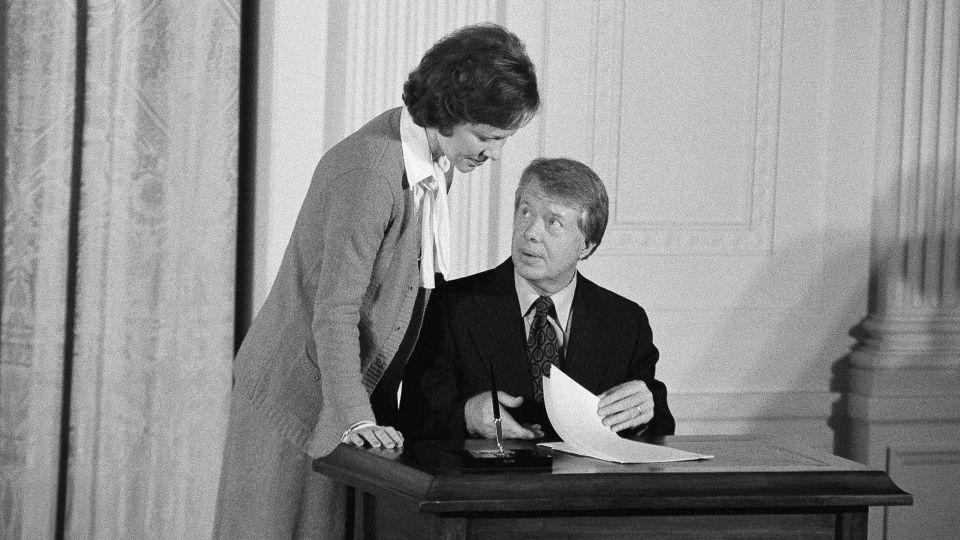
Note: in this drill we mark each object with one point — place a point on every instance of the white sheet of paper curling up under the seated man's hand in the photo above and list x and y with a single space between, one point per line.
573 412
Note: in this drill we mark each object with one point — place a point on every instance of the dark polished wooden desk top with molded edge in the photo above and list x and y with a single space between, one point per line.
746 472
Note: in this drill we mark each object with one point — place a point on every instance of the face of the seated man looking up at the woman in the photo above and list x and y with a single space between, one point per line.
547 240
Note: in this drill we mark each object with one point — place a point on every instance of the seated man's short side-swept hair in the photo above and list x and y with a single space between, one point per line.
575 185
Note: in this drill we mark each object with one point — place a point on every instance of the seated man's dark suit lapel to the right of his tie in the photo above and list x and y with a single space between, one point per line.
587 345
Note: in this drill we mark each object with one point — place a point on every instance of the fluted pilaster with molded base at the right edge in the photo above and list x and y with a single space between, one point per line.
904 395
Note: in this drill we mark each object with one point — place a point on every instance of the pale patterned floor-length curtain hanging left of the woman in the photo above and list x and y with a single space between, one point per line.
119 167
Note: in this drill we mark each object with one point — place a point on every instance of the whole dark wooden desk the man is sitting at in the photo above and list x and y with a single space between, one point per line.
753 488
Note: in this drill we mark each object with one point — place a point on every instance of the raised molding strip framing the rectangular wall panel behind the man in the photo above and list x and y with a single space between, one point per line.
753 234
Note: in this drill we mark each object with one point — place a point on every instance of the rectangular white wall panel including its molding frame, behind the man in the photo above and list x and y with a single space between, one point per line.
695 168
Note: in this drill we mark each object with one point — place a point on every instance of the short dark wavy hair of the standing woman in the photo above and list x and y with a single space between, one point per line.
479 74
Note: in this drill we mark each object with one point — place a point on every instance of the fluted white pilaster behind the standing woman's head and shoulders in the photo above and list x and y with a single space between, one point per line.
382 43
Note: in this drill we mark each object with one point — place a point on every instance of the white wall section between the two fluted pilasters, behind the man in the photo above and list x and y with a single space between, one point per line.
707 122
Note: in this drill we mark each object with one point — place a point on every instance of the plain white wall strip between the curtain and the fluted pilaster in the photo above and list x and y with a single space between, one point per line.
290 125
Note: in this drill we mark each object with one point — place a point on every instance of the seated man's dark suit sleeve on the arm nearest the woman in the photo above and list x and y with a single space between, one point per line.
431 405
